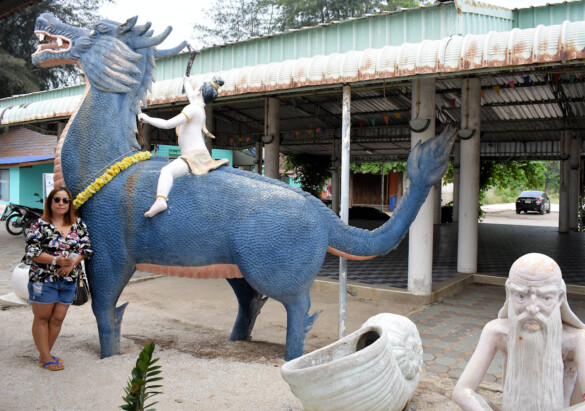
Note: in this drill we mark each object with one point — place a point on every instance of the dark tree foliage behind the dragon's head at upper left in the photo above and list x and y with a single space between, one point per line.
18 42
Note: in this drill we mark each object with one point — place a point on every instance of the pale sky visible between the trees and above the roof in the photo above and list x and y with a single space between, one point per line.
182 14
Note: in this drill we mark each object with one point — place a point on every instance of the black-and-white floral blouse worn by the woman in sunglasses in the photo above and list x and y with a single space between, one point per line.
45 237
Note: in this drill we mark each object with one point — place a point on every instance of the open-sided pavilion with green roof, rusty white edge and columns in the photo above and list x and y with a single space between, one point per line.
511 81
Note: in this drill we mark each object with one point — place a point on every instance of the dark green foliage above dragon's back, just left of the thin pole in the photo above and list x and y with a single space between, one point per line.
311 170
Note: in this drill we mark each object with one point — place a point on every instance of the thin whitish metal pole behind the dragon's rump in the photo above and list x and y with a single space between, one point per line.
345 141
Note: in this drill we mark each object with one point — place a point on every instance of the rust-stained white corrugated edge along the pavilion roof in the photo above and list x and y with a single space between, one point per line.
467 55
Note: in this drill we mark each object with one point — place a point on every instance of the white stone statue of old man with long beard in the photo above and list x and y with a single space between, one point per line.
542 341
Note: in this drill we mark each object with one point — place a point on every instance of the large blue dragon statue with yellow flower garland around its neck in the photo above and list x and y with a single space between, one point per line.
213 222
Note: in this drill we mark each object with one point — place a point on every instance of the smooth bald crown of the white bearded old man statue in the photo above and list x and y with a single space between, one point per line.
535 270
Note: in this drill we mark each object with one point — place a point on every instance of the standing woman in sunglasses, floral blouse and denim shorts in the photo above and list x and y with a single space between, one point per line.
55 245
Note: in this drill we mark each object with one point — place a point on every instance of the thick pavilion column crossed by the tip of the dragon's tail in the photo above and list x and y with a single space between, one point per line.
420 235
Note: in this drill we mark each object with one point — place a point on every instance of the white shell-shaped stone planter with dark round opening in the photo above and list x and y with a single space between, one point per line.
375 368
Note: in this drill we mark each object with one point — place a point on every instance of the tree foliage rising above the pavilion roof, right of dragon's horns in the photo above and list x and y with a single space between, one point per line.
234 20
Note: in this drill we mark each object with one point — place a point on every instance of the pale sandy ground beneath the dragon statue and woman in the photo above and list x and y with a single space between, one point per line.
190 322
